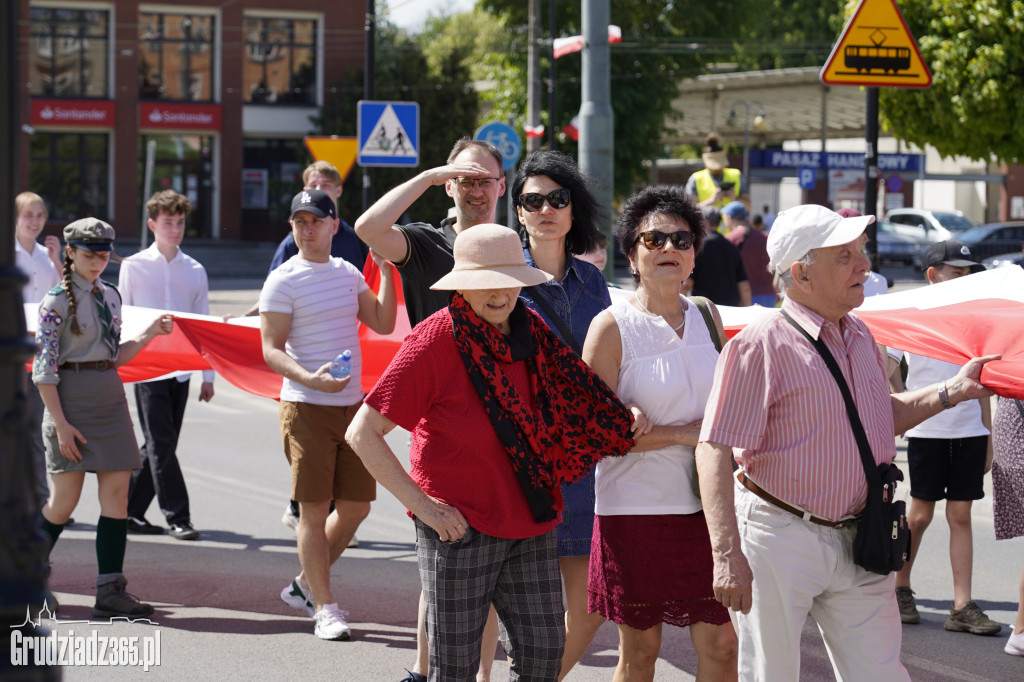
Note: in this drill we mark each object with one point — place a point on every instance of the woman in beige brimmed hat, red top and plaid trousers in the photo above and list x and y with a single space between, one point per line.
502 413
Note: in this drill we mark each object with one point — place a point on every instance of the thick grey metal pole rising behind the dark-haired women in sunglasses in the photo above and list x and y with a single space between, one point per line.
596 118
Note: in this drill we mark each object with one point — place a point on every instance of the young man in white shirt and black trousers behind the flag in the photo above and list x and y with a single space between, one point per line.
163 277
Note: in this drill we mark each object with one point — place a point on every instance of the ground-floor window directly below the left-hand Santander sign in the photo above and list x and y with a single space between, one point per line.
70 172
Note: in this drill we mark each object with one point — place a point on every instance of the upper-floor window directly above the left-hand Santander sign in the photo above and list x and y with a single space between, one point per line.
69 53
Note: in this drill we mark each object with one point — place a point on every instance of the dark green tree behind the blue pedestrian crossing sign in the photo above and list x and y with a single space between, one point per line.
448 111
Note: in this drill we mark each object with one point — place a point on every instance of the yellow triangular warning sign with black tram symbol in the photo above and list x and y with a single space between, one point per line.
877 50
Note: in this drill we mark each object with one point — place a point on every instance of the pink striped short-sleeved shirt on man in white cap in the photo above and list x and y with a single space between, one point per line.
776 401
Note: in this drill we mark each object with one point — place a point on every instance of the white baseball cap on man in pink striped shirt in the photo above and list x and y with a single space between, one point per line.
804 229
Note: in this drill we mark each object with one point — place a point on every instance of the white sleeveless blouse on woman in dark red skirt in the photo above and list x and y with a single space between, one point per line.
670 379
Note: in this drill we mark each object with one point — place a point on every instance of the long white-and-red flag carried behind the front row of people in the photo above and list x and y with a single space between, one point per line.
978 315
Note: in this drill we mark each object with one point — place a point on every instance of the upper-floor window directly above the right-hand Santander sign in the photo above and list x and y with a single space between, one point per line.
176 57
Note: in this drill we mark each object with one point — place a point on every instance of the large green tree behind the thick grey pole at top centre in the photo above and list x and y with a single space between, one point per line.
663 42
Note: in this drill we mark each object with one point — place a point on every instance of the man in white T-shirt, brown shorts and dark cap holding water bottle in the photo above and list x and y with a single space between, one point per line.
311 308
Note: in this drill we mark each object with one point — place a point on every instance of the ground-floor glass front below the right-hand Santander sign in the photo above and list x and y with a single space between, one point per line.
185 164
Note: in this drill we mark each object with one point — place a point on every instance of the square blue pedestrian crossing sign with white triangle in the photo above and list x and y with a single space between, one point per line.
389 134
